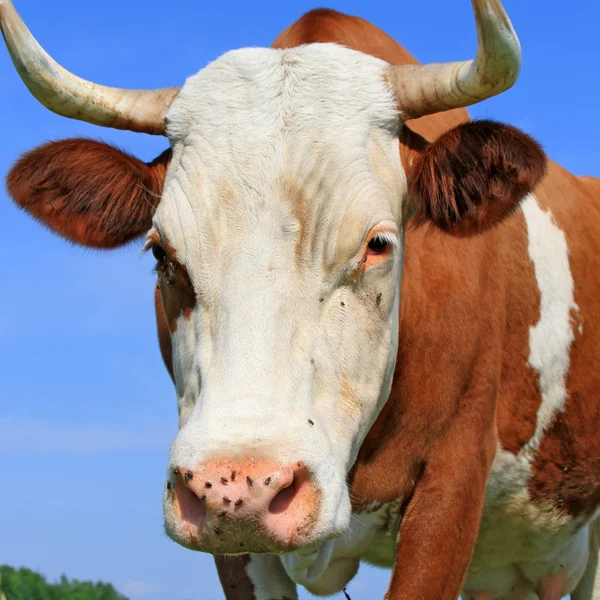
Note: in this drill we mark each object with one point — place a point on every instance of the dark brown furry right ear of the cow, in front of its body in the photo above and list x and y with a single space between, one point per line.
474 176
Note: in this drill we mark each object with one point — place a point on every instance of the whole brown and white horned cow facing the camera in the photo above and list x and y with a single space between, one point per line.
378 314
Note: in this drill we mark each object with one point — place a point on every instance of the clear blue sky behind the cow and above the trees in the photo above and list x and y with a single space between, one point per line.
86 410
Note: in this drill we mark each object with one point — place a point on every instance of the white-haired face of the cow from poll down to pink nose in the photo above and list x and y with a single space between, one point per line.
284 163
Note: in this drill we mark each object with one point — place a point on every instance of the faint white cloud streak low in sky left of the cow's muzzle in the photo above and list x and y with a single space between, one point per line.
20 436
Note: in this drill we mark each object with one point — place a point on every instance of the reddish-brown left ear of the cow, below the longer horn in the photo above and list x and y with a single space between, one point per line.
87 191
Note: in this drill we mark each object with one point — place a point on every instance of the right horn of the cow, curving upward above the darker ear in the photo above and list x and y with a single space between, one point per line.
425 89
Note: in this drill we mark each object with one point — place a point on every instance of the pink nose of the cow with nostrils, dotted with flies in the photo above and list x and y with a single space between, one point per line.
230 507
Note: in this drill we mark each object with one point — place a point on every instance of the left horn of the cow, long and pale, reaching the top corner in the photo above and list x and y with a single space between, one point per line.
70 96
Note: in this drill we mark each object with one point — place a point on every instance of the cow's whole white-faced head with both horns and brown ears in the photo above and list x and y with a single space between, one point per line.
277 220
